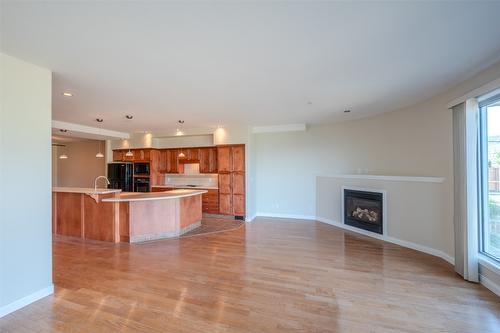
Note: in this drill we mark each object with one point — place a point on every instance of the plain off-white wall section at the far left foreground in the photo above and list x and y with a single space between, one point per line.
25 183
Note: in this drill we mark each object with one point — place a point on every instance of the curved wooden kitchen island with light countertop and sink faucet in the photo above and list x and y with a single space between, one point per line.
115 216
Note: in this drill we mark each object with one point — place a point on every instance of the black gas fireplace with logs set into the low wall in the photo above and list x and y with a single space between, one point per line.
363 209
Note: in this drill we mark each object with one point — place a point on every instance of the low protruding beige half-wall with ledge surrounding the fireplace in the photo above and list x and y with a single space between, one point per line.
415 216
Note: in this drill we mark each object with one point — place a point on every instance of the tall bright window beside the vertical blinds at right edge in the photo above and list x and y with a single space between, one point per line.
490 177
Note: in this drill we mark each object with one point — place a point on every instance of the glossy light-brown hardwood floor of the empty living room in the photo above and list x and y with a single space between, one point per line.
271 275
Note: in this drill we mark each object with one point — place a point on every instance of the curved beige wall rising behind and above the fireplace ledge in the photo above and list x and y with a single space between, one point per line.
416 141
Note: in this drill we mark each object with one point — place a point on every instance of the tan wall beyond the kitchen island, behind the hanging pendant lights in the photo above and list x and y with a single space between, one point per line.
82 167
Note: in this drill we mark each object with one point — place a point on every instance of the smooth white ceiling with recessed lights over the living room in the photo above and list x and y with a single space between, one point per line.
247 63
